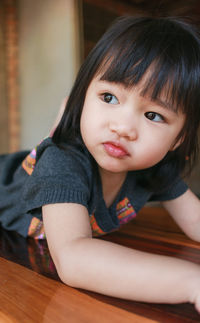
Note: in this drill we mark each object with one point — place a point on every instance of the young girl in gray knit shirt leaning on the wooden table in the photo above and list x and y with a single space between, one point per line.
129 131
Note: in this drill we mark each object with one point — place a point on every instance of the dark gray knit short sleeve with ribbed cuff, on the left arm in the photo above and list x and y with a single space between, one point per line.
59 176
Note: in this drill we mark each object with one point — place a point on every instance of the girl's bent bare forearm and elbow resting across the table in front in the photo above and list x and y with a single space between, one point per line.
111 269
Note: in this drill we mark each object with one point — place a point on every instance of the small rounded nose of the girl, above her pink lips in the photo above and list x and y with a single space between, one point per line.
124 129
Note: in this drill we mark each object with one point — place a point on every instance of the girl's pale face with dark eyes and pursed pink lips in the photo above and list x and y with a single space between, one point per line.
125 131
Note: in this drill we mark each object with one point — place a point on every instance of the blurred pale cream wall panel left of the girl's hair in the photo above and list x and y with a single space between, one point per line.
49 57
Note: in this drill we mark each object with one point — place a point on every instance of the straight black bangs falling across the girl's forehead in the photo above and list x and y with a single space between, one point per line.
164 63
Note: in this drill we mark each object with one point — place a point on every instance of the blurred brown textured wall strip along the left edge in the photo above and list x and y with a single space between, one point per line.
9 90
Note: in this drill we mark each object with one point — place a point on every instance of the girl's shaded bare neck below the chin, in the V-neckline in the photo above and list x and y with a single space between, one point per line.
111 184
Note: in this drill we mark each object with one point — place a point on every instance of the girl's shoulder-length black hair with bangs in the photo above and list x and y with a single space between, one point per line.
169 50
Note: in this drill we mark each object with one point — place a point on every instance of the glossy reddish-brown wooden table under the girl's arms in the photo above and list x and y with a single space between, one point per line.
30 290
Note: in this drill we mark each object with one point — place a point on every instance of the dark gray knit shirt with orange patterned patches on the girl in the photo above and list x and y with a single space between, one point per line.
48 174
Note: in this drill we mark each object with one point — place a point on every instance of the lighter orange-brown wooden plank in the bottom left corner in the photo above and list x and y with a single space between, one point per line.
26 296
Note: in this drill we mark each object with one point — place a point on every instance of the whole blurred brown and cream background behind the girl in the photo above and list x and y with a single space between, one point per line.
42 44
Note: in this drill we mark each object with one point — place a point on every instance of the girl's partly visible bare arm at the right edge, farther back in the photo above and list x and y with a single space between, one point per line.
186 212
